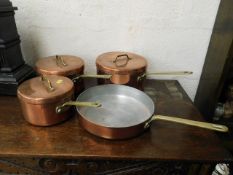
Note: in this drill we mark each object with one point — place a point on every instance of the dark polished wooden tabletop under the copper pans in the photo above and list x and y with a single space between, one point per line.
164 141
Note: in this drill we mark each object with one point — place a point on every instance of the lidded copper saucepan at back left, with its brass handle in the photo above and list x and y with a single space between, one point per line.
68 66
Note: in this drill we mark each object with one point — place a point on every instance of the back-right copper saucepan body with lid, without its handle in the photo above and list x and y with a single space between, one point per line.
125 68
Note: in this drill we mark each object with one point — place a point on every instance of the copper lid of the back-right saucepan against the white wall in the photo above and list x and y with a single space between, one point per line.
121 62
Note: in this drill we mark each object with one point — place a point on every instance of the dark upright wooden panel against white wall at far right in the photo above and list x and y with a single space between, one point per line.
217 61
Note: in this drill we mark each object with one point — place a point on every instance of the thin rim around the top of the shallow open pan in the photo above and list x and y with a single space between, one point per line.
116 85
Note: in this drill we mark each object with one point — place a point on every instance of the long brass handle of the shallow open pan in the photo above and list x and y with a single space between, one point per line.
206 125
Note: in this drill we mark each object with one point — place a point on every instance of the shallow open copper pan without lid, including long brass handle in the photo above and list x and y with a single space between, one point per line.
125 112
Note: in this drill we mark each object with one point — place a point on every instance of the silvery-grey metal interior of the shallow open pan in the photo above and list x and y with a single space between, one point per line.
122 106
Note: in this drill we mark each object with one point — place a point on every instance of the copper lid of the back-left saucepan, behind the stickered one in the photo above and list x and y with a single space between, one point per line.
64 65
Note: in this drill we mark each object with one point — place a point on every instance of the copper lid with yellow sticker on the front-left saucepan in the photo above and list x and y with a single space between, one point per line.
49 89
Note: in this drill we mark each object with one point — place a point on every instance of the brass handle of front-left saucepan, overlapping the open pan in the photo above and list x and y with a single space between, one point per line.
62 108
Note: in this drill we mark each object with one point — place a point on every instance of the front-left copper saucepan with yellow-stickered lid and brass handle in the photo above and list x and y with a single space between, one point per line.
46 100
